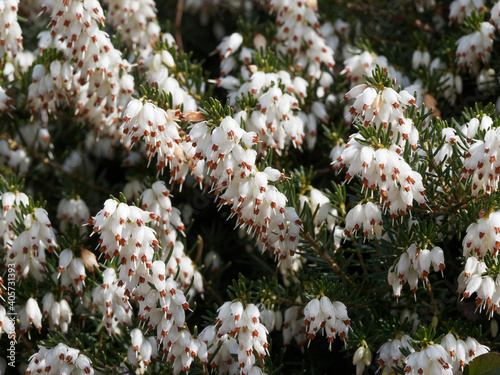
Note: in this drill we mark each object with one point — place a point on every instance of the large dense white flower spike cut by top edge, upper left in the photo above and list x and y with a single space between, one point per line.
102 85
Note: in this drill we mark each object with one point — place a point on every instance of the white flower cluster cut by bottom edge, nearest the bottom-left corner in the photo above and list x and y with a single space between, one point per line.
61 359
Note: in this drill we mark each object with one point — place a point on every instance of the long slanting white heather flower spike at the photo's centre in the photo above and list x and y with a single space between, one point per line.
256 203
